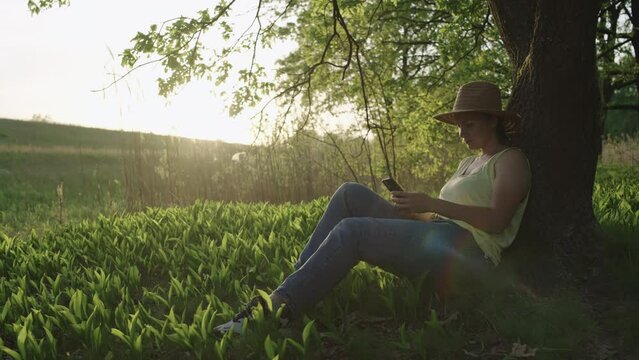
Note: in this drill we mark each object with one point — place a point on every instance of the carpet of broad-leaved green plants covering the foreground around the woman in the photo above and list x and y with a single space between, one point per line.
153 284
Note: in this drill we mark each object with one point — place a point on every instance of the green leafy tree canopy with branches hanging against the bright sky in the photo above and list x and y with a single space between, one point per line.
393 63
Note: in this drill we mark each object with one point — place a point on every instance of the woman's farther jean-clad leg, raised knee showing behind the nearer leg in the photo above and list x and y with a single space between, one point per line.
349 200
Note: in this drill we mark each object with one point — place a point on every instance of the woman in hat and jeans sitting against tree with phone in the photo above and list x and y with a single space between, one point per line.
476 215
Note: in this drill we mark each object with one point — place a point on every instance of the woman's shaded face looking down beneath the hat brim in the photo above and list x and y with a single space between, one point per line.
476 129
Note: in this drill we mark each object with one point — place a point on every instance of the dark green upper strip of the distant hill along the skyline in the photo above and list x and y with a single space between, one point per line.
33 133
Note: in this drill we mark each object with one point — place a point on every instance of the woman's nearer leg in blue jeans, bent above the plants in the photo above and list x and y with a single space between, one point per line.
404 247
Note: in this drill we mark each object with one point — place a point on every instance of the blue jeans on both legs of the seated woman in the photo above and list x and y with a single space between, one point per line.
358 224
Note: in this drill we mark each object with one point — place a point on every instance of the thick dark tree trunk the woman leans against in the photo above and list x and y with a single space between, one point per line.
552 47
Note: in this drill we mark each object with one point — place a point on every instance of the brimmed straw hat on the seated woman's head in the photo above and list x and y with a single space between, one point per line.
482 97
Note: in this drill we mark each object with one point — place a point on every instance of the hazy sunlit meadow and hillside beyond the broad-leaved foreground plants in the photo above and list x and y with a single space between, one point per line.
106 172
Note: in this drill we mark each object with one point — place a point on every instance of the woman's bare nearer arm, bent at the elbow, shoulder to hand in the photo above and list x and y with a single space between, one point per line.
512 181
